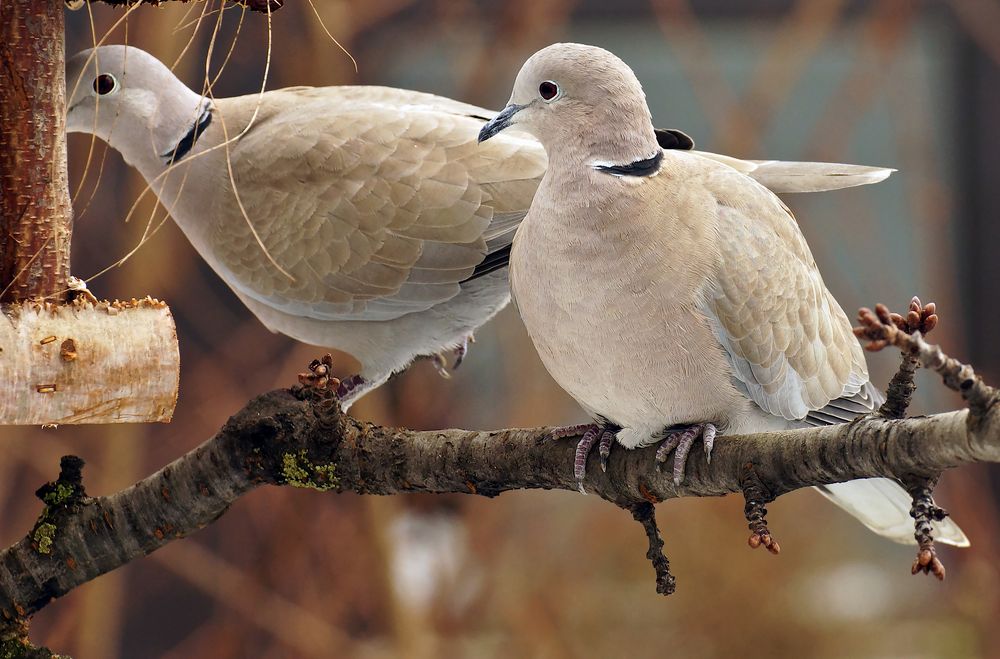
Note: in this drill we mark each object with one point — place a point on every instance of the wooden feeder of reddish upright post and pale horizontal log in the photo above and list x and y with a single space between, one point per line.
63 359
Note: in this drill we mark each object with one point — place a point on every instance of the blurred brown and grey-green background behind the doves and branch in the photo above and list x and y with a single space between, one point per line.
292 573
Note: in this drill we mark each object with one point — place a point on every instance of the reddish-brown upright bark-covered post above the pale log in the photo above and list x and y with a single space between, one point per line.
35 213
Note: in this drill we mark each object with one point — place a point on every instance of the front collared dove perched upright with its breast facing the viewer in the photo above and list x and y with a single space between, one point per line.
670 294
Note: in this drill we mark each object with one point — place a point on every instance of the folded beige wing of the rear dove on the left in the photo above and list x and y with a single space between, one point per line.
379 202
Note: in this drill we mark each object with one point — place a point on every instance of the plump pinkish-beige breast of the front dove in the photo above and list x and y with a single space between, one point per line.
612 311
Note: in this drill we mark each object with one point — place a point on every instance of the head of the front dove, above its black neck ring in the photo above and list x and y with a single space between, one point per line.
571 97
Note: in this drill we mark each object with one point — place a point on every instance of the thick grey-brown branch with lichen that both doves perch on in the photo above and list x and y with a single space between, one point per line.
303 440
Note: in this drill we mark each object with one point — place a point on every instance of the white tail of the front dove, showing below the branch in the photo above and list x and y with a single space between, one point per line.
884 507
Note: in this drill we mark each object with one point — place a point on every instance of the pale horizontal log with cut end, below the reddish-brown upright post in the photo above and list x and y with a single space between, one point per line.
110 362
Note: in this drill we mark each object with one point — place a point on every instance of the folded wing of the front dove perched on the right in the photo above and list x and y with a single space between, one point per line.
790 345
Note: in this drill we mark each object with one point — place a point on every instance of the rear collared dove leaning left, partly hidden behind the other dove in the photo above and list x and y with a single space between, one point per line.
363 218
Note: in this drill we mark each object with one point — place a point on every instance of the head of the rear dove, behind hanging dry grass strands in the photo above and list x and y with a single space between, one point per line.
130 100
